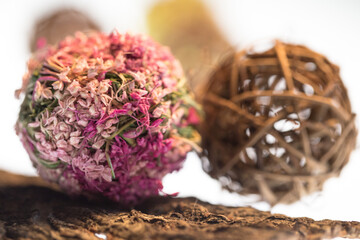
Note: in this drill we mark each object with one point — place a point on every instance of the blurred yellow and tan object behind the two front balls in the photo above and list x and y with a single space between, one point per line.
187 27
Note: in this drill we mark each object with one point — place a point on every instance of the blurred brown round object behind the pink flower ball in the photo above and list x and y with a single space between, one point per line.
60 24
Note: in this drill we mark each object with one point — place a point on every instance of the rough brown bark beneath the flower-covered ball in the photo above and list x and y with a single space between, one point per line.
33 209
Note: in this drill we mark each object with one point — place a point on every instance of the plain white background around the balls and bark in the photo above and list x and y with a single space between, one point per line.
329 27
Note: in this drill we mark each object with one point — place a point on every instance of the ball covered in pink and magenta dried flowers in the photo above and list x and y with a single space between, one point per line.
107 115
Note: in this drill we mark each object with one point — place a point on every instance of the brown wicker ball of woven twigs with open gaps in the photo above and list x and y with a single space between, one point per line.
278 123
